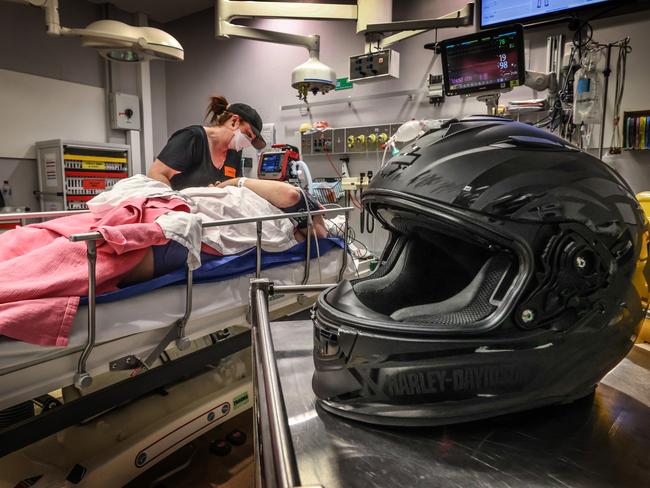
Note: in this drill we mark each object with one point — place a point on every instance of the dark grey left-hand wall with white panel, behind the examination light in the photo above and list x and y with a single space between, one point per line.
27 52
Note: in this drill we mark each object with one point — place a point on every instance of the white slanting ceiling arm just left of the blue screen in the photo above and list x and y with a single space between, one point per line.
457 18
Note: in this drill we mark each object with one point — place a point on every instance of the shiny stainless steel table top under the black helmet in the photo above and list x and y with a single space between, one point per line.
600 441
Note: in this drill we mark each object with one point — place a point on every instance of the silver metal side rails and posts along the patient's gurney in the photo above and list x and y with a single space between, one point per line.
82 378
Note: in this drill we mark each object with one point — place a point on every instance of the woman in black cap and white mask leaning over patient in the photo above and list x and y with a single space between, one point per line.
206 155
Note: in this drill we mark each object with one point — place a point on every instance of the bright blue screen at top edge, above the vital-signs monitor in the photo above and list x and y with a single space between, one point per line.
499 11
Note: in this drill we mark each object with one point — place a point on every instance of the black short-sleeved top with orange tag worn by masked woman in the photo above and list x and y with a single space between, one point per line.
188 151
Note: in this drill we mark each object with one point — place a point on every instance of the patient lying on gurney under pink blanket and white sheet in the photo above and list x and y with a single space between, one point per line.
148 230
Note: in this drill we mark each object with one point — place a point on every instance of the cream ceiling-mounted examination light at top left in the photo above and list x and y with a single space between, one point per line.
114 40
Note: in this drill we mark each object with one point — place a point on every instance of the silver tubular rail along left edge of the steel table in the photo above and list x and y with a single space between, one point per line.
276 465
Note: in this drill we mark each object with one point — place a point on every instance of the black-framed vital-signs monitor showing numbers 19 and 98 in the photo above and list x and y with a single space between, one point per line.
486 60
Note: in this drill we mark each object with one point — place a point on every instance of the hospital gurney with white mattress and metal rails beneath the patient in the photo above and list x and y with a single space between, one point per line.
109 339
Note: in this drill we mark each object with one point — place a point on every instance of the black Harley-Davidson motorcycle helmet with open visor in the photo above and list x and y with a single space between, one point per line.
514 277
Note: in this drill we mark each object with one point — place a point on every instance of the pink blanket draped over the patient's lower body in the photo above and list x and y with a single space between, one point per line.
44 274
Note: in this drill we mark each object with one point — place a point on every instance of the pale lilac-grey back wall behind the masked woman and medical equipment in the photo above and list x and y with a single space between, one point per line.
260 74
